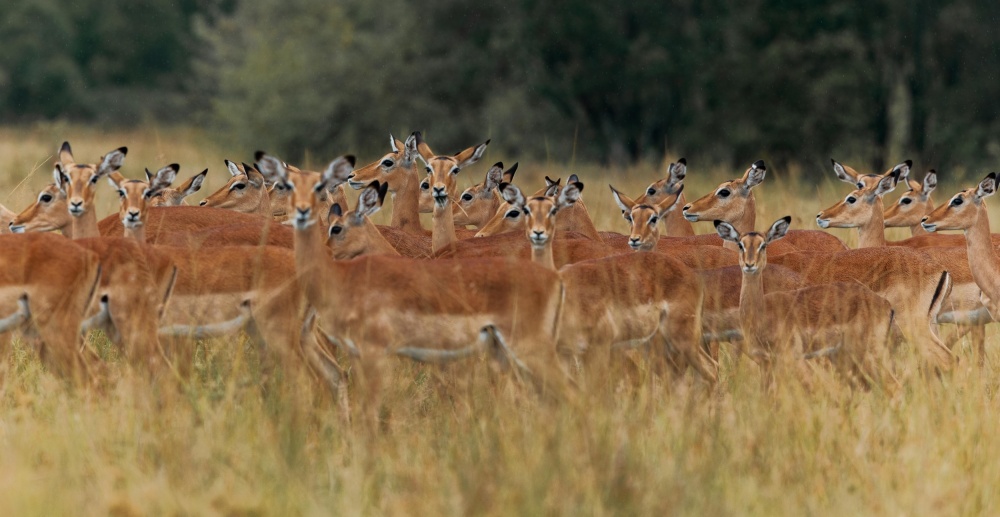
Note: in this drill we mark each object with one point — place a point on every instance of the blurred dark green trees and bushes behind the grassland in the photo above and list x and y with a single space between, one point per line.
791 81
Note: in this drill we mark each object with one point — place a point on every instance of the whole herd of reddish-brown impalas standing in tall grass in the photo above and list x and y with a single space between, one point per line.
279 254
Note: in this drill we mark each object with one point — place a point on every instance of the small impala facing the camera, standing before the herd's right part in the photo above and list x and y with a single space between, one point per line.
845 320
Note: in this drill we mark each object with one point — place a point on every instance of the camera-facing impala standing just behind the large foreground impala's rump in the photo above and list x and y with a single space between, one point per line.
621 299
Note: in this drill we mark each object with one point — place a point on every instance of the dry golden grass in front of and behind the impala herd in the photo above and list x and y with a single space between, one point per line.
231 440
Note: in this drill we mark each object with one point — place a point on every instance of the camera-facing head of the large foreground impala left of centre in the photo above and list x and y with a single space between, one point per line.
306 188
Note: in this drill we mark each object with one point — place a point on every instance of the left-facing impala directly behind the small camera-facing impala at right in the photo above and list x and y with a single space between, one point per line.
734 202
